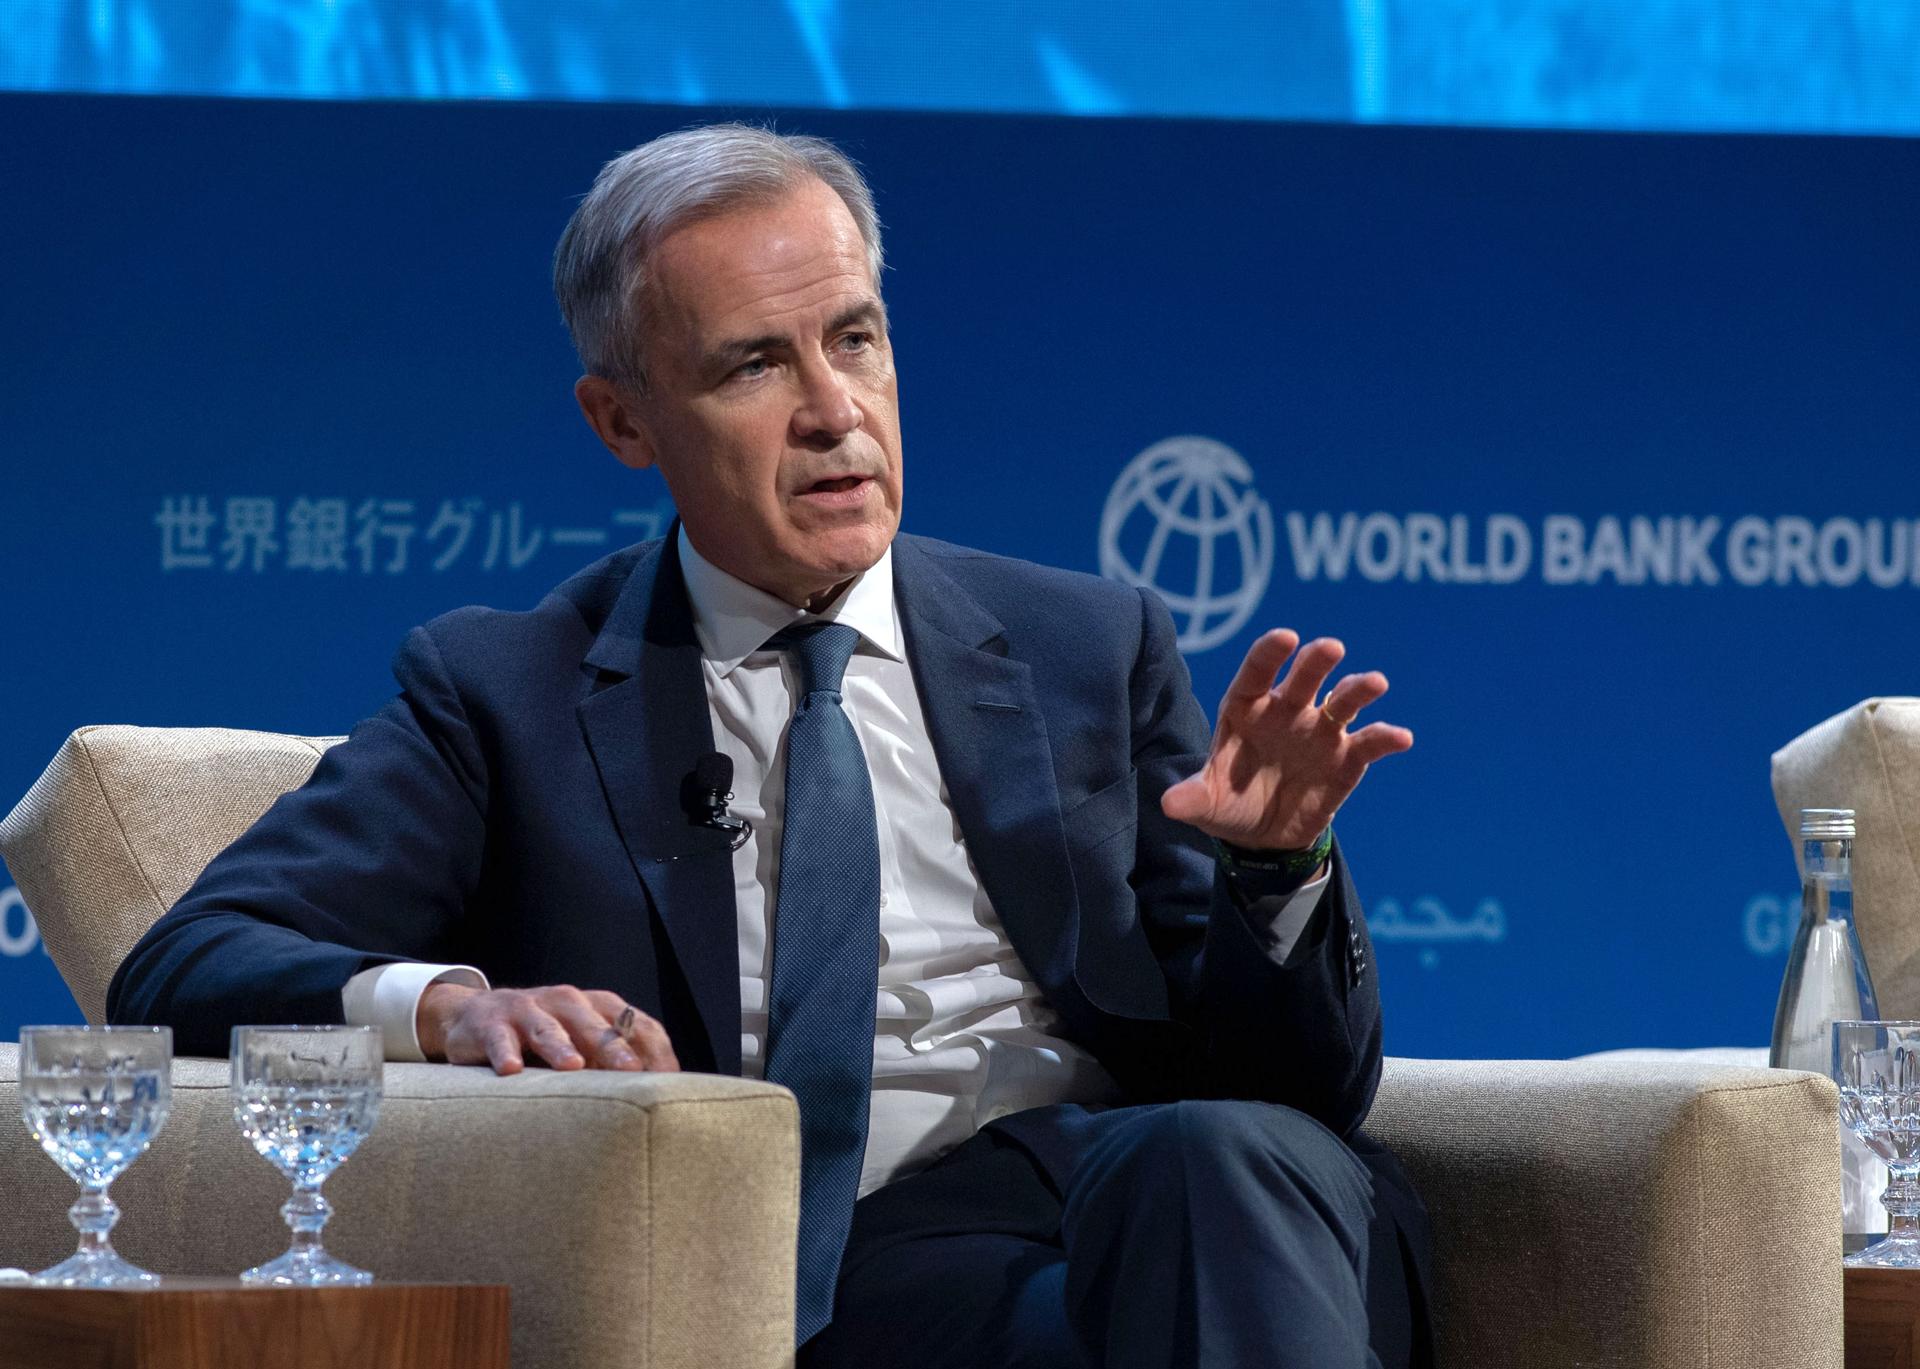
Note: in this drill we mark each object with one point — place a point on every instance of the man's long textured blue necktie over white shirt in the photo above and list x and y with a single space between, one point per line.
827 957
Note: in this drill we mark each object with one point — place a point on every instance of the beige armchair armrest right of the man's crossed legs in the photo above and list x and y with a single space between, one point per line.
1625 1213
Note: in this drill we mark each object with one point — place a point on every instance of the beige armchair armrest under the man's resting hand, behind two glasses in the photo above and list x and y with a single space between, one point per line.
640 1220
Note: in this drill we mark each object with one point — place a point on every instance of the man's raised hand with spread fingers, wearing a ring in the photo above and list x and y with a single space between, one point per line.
1284 761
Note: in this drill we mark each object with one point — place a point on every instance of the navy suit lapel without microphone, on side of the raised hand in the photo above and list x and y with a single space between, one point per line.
992 746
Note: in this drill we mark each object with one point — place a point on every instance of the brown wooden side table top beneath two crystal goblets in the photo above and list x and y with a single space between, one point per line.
218 1324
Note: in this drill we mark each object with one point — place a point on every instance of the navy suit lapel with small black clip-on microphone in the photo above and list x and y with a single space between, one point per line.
646 731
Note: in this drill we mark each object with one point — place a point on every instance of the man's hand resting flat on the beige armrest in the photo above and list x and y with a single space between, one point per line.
567 1028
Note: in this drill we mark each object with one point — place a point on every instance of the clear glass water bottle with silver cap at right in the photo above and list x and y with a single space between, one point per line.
1827 974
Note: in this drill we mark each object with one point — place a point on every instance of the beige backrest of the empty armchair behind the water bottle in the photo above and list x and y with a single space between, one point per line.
1869 759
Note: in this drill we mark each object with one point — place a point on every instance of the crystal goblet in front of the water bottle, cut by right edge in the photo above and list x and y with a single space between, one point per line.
1877 1067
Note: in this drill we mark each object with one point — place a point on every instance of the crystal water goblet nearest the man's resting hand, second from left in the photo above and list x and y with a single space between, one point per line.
306 1097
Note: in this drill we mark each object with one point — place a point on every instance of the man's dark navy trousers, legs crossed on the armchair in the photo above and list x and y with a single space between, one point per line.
1188 1234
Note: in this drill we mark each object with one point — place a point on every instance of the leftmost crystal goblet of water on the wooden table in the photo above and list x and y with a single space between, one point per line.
95 1097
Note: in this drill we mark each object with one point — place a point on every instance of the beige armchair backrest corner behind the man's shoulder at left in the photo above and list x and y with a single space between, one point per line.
124 821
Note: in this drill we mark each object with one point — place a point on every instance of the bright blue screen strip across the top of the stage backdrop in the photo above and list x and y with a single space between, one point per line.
1792 66
